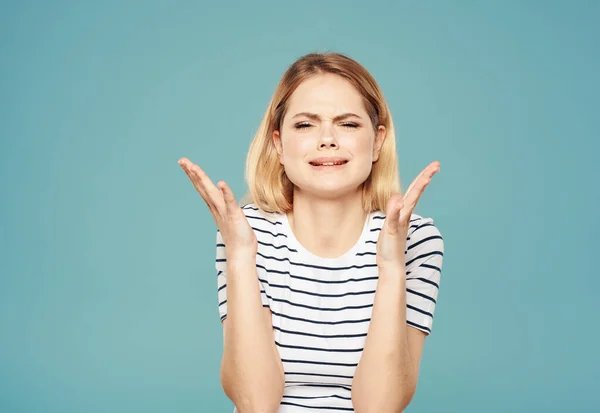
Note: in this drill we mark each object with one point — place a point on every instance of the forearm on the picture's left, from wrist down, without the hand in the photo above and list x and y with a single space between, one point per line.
251 369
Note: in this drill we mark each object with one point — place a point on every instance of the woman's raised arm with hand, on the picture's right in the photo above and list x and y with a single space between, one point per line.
386 377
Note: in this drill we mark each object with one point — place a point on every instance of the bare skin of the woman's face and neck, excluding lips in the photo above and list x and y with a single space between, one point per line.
328 203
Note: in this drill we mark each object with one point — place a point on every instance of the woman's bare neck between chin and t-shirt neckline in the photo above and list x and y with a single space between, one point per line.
327 228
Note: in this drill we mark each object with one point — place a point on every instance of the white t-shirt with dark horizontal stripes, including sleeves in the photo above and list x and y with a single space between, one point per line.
321 307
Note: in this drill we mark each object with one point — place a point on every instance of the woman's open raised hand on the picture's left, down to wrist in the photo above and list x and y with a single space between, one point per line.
237 233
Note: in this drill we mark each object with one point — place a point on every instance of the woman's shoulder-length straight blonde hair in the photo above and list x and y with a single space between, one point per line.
268 185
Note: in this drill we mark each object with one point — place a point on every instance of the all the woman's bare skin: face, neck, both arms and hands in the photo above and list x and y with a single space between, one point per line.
326 202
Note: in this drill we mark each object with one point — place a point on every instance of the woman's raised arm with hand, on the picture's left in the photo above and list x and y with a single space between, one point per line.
251 370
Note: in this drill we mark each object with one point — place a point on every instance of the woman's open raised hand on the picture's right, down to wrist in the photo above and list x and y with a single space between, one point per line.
391 244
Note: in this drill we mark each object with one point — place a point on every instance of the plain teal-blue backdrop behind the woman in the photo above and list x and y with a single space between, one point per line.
108 290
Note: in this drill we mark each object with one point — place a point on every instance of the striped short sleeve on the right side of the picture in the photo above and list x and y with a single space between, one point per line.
424 257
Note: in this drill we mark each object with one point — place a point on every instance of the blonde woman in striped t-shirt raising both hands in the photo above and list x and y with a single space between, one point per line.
327 280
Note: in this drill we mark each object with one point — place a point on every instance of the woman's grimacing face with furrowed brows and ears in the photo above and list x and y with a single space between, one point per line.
327 143
